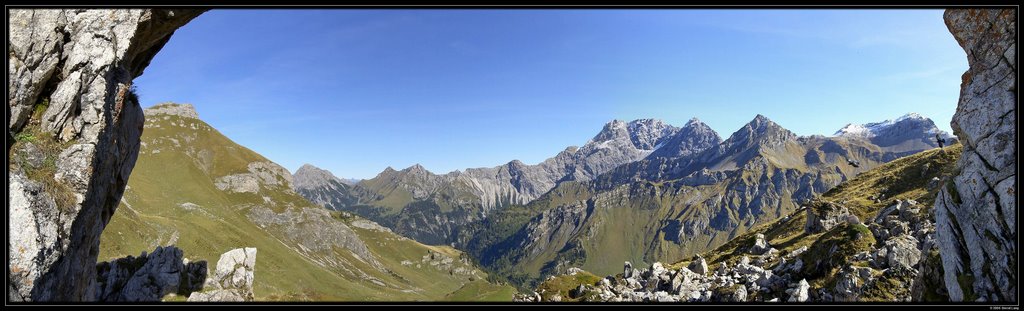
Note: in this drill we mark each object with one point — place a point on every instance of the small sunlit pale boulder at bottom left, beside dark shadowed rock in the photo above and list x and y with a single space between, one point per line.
233 280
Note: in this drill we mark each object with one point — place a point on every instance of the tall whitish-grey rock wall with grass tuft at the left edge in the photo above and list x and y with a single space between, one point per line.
75 67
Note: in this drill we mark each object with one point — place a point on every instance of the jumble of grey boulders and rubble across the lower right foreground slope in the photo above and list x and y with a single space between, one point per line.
774 277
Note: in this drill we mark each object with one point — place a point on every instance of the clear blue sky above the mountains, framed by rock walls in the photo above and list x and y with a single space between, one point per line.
356 92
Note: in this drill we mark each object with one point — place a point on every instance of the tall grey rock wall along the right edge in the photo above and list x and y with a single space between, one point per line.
976 211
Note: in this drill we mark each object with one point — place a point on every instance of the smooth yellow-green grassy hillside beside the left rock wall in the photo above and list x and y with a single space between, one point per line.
151 215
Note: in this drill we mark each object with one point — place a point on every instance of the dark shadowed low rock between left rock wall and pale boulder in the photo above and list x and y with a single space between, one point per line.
149 278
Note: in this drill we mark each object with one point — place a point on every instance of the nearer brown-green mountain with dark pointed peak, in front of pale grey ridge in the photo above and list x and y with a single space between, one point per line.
666 209
